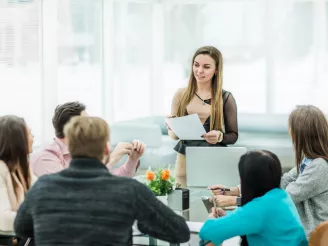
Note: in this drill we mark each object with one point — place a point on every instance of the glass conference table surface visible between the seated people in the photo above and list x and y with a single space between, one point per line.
196 213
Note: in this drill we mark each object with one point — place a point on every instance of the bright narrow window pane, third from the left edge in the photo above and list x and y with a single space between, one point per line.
132 59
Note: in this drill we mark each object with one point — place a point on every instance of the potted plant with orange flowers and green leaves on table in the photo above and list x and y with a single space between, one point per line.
161 183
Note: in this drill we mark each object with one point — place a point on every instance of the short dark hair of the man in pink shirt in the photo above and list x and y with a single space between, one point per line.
63 114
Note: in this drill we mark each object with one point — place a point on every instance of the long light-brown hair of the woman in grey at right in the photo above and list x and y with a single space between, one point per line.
309 132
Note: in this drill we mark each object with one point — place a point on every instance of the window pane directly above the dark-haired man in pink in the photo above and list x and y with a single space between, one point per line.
79 49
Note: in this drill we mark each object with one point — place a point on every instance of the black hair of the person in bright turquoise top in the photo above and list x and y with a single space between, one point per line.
260 172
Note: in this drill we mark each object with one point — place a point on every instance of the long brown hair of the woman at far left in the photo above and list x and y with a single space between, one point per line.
14 147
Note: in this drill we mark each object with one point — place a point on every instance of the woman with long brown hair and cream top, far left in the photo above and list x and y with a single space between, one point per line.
16 143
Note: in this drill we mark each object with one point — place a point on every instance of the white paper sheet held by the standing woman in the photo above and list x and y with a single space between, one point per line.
187 127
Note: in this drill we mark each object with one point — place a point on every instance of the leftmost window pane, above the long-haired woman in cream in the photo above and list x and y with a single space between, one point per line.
20 63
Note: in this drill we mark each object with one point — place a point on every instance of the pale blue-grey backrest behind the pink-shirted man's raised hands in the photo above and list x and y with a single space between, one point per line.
150 134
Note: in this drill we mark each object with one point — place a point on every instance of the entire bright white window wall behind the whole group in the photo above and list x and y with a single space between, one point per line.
125 59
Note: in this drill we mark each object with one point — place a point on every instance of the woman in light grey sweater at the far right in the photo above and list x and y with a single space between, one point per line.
307 183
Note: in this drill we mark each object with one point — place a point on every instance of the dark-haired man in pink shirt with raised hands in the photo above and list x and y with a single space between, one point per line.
56 156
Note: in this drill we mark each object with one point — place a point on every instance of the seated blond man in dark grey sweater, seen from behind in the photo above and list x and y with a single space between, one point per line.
87 205
